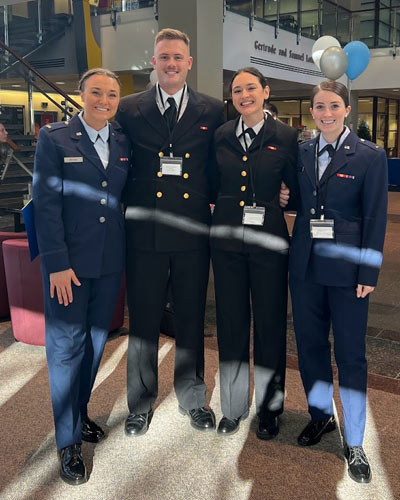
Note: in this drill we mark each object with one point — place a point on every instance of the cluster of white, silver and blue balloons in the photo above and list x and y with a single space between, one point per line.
334 61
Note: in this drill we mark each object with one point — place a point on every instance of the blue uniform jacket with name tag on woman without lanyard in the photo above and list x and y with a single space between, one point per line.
78 216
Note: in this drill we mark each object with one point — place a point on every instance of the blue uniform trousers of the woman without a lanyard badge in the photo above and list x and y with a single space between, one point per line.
75 339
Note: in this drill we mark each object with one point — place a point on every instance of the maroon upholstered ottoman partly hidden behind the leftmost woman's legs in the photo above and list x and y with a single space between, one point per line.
25 294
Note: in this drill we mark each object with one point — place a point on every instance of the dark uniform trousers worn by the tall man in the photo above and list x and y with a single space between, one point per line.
147 294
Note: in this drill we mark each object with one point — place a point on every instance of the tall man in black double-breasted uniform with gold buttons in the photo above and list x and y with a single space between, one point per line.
167 220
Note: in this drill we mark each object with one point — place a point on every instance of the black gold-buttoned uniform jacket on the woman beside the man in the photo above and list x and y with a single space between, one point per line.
273 163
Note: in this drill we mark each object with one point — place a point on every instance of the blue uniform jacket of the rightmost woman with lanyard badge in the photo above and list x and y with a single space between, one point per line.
356 201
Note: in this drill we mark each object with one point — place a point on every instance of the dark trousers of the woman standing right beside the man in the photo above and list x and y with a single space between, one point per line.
263 277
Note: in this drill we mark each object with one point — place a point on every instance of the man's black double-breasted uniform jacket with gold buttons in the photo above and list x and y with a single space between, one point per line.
164 212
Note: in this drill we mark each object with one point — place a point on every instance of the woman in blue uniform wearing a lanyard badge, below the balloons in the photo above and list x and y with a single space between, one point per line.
335 258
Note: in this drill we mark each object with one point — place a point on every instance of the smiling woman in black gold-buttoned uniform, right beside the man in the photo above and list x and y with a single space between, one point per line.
249 244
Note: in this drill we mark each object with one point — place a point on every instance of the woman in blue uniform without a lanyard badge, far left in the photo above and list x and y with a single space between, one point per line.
79 174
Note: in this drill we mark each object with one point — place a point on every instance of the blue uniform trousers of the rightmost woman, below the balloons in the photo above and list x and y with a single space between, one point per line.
315 307
